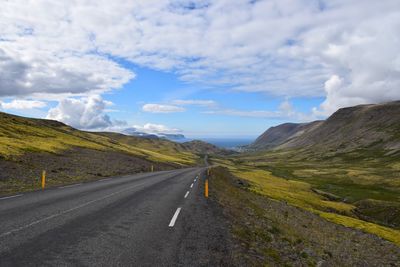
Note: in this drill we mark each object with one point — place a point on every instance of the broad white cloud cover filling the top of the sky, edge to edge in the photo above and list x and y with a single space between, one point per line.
70 48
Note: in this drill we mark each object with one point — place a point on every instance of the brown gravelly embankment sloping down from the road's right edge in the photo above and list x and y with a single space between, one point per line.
273 233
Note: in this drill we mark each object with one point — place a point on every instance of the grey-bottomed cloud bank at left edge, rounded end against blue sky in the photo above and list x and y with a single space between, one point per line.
69 75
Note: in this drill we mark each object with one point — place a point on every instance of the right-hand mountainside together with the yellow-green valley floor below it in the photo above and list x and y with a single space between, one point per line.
346 168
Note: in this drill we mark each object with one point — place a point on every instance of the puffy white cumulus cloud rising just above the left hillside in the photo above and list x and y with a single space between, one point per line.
83 113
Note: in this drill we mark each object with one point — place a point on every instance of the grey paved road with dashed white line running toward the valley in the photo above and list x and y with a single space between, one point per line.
139 220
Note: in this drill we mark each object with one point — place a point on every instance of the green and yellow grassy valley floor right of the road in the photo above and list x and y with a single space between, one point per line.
363 196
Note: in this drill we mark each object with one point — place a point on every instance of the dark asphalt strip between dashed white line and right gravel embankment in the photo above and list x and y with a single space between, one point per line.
204 235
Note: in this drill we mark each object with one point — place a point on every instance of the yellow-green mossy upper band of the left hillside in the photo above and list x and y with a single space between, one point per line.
20 135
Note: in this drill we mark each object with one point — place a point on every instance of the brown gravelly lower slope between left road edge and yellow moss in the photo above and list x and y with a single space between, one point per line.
78 164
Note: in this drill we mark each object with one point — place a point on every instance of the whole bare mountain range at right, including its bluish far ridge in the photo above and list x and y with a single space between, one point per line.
375 126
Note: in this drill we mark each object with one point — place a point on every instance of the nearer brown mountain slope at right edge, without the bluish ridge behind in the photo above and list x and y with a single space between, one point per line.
365 126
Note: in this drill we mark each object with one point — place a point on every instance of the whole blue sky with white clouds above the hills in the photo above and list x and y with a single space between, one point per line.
221 68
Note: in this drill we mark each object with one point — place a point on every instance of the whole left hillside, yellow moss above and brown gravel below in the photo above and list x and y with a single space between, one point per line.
28 146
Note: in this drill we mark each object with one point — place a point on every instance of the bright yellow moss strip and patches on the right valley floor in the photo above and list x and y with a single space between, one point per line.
300 193
